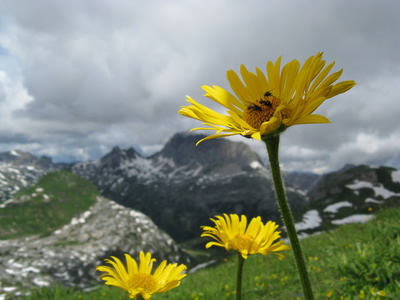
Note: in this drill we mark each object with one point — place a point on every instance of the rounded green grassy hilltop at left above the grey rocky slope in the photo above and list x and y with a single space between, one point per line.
39 212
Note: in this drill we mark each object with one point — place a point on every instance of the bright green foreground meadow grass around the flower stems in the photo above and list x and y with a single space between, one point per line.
357 261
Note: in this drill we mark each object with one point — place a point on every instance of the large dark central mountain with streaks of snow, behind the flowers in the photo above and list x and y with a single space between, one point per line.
182 186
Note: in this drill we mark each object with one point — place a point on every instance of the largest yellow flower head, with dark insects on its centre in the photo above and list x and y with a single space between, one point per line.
269 104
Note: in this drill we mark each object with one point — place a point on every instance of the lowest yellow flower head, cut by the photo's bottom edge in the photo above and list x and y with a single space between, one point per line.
138 279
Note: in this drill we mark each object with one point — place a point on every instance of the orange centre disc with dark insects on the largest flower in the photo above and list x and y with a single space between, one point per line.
261 110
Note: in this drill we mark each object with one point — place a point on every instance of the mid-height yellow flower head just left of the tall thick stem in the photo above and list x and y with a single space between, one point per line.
230 232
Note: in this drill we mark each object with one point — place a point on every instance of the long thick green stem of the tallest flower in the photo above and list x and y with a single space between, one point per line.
272 143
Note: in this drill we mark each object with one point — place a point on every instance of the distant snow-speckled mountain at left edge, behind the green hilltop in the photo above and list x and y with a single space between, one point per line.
19 170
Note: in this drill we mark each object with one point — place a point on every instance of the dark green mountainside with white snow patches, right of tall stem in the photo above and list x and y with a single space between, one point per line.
351 195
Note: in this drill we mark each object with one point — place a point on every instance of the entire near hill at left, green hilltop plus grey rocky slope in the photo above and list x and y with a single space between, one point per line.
68 254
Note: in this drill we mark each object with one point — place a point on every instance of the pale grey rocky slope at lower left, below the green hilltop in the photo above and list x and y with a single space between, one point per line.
70 254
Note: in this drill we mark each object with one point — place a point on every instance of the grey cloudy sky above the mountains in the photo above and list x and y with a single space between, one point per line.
79 77
